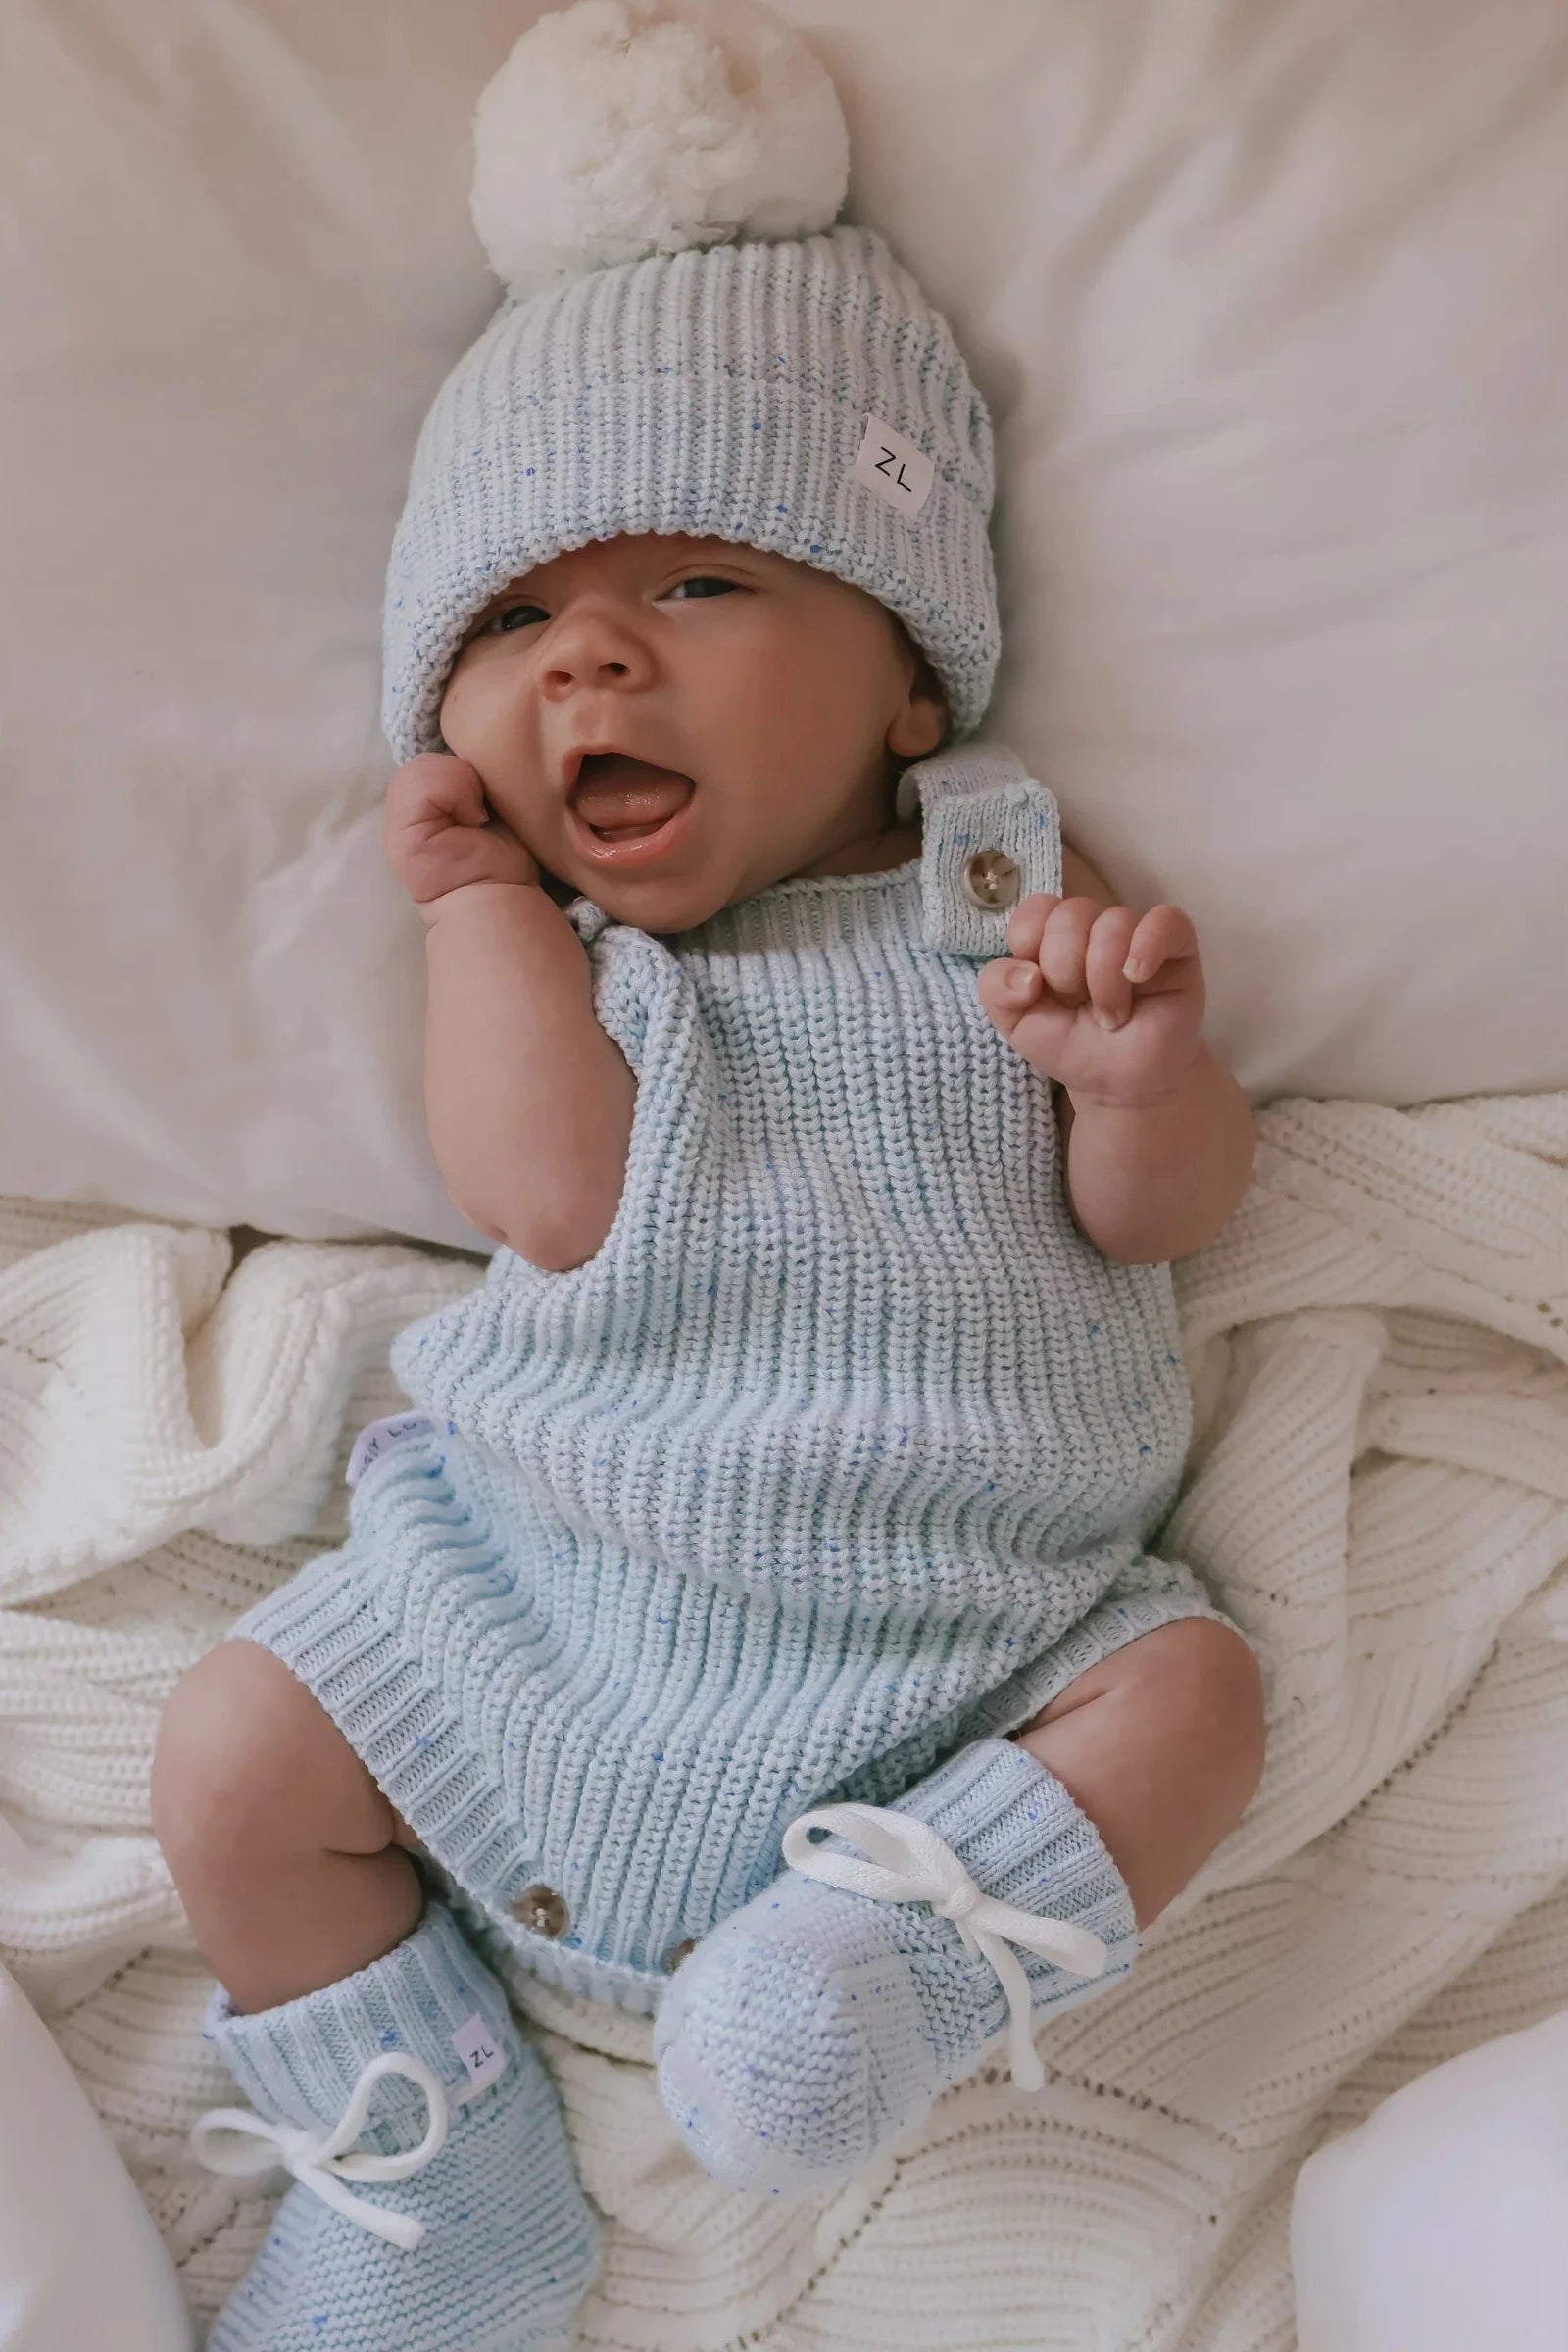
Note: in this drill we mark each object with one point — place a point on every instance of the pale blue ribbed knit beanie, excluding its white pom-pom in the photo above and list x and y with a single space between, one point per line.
716 392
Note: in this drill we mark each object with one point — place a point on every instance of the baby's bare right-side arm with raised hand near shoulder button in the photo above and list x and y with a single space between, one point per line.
1158 1135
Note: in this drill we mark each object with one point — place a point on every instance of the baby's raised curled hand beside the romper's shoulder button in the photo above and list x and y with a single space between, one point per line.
1101 998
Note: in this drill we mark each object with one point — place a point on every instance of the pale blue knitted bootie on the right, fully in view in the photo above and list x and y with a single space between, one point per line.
815 2029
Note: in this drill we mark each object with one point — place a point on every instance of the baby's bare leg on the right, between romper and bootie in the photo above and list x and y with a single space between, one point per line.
1162 1749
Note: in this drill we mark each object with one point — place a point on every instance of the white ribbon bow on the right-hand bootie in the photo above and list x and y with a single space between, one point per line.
911 1864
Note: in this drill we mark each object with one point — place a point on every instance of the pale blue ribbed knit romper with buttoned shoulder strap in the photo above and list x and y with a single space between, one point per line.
838 1455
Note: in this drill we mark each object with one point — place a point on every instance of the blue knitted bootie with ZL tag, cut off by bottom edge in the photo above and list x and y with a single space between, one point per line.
450 2214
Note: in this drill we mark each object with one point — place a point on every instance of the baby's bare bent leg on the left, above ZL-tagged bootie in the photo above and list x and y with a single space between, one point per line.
283 1847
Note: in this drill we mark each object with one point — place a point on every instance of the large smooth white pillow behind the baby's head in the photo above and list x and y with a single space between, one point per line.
1273 316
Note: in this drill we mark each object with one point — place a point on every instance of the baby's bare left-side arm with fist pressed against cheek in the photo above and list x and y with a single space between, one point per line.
530 1104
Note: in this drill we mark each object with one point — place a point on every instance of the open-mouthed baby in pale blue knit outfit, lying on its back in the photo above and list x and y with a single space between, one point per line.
753 1619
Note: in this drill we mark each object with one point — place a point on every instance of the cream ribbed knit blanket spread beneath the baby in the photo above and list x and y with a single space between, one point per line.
1379 1492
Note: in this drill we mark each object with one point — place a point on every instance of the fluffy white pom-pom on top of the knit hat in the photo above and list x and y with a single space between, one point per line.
626 128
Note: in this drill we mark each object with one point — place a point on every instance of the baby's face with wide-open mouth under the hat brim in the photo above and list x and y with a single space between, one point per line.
758 704
